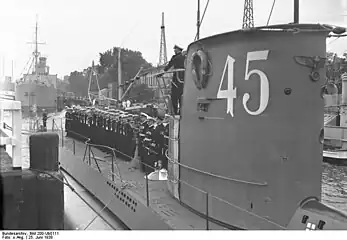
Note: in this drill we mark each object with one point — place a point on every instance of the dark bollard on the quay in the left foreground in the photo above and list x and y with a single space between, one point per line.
44 160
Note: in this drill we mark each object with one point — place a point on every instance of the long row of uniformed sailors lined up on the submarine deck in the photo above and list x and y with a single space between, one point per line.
122 131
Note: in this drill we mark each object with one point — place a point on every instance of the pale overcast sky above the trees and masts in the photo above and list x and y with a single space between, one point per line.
76 31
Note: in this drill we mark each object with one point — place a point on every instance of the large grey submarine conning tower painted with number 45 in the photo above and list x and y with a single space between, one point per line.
251 127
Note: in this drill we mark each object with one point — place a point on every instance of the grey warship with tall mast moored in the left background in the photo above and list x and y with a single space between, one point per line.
37 90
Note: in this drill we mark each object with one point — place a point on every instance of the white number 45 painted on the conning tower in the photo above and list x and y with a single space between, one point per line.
230 93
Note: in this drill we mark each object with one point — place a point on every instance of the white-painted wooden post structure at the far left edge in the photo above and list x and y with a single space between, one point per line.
13 138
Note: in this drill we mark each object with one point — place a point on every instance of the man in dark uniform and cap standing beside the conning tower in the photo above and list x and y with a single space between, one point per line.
177 62
